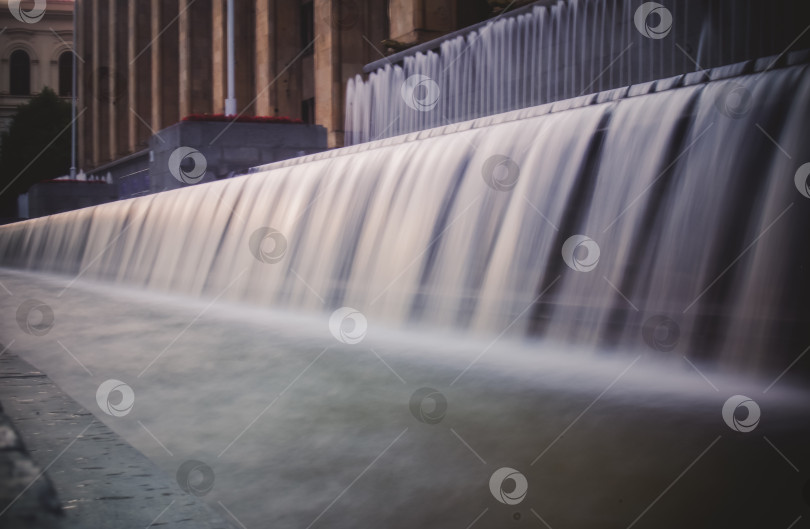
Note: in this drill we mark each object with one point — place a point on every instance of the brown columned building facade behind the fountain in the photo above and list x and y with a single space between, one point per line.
146 64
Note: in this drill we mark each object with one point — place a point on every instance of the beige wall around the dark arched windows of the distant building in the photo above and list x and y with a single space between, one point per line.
44 41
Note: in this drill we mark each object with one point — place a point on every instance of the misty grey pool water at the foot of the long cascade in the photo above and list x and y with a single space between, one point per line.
303 431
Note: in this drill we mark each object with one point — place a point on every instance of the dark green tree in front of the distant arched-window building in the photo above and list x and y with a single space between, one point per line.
36 146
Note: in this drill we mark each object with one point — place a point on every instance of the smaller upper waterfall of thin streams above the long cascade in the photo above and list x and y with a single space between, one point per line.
562 50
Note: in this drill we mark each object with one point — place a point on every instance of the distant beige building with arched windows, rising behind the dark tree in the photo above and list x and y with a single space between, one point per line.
34 53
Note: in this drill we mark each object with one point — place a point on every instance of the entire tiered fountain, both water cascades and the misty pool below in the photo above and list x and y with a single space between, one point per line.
548 315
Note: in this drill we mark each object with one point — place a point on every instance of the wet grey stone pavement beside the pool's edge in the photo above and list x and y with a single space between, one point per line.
60 467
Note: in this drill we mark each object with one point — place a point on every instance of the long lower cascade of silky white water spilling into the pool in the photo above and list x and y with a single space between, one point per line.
681 204
